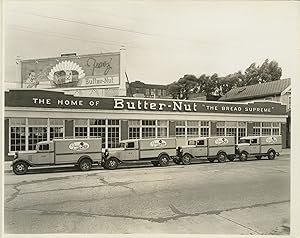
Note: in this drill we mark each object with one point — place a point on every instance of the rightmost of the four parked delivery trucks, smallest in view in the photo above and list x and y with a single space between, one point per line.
259 146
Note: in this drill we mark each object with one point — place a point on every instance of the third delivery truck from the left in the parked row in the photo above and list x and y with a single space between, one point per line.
219 147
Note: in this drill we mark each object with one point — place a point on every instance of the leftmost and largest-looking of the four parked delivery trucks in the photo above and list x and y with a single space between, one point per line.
80 152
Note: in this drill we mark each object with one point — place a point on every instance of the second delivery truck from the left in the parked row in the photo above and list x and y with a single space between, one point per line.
157 151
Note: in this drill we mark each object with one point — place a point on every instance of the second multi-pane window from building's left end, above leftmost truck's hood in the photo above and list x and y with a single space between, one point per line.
37 131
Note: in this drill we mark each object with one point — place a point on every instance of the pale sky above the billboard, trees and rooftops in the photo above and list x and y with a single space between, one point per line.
164 40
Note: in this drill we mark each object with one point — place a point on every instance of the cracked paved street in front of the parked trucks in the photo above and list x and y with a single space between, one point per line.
250 197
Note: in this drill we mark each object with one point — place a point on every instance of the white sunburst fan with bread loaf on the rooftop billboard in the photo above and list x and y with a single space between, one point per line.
65 74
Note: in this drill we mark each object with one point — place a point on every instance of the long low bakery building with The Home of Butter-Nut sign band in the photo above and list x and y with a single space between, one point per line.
33 115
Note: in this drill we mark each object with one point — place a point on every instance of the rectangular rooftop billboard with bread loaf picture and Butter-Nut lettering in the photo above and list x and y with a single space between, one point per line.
72 71
